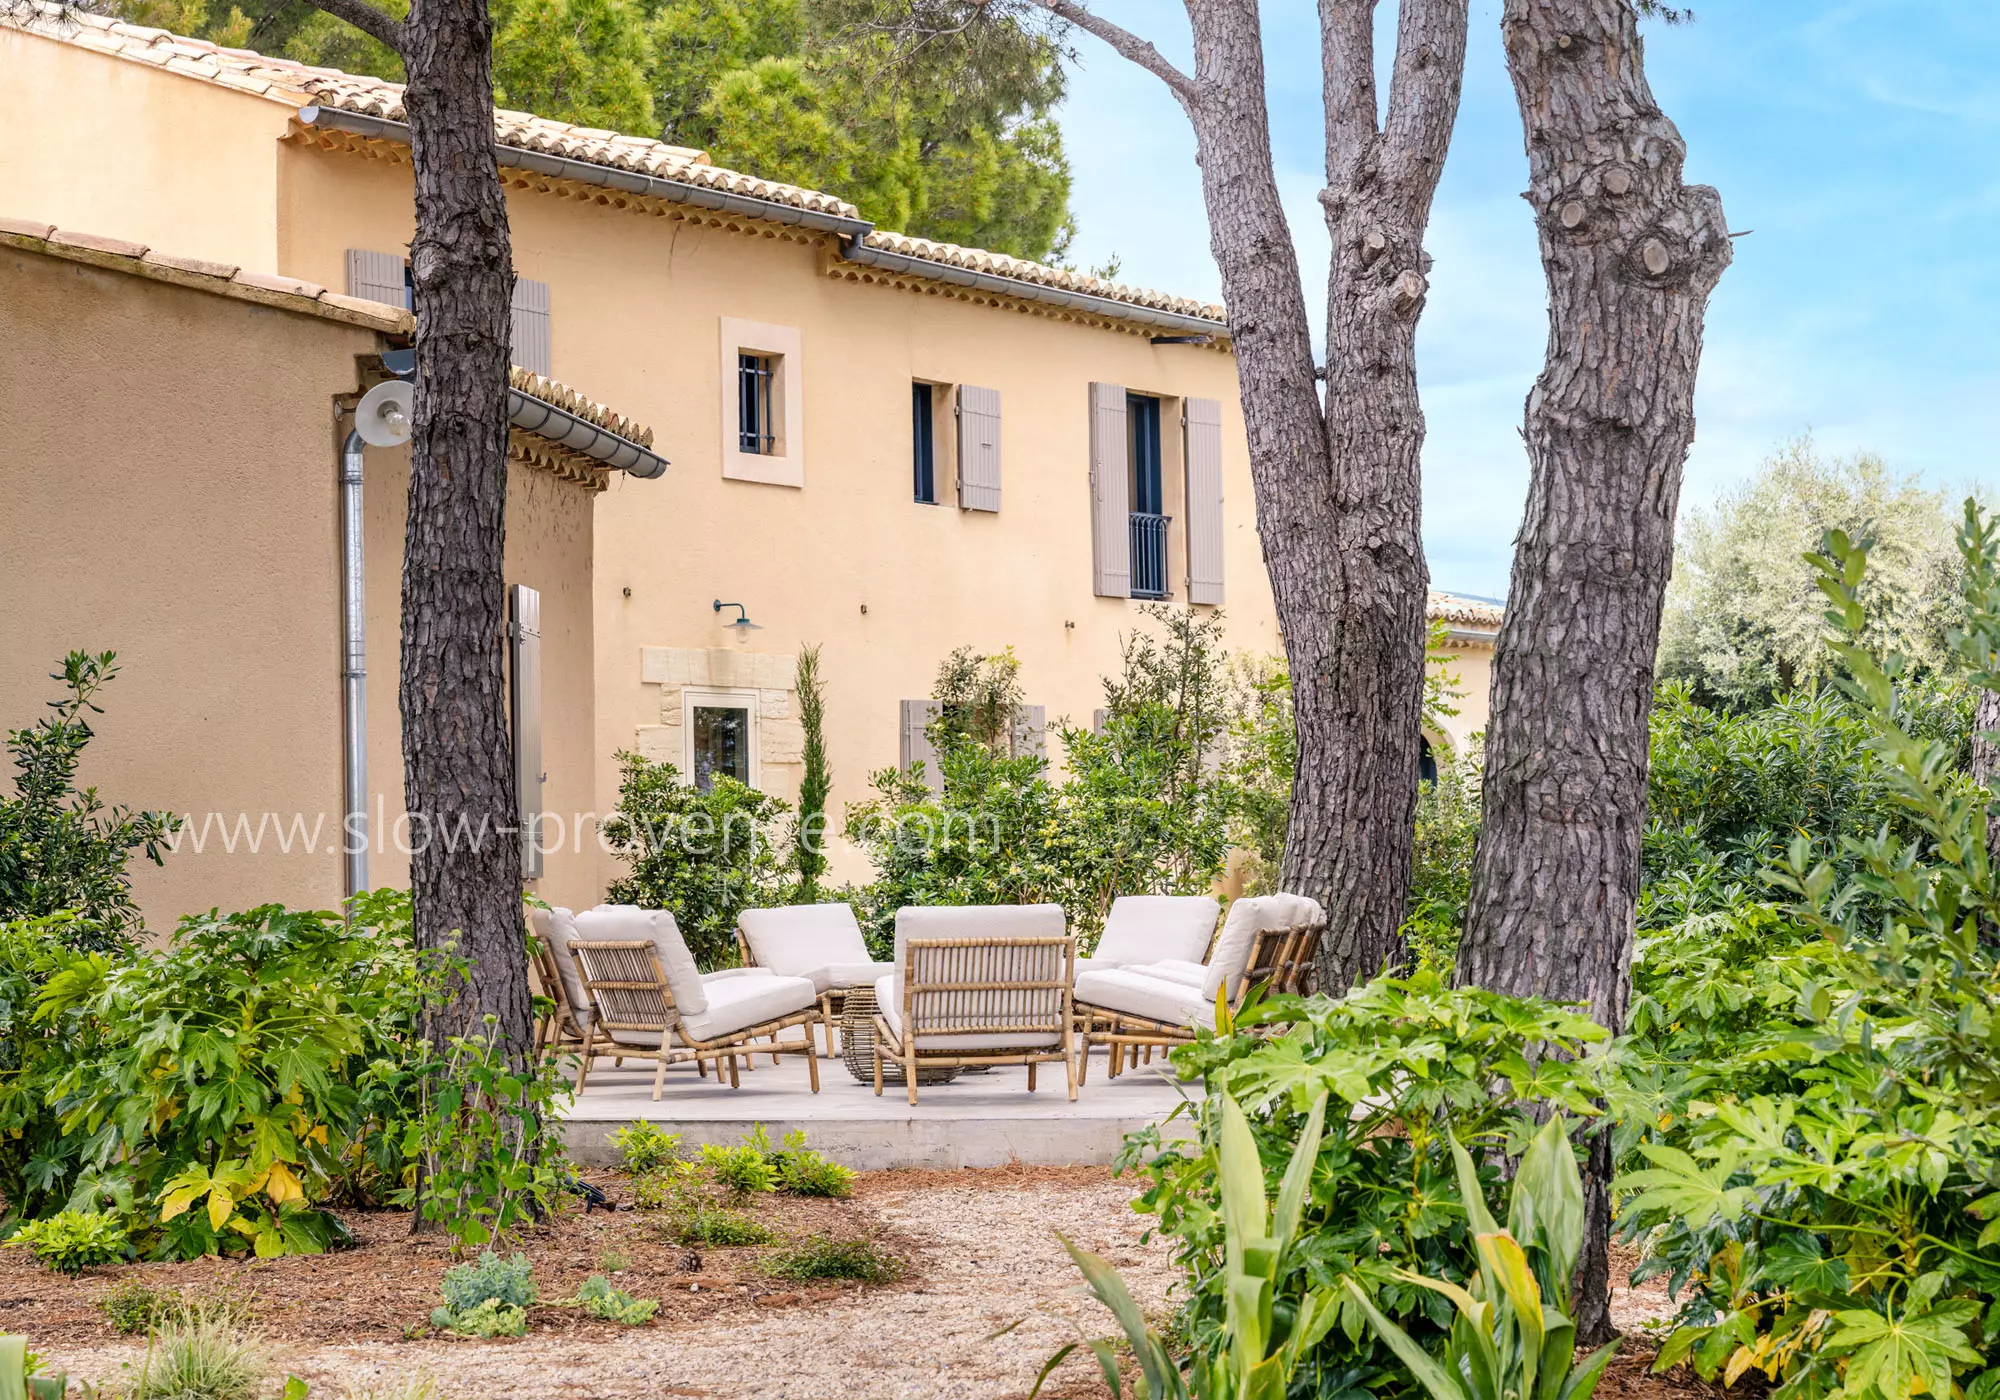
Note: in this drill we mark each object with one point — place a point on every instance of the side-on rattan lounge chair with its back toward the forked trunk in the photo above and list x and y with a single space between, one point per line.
1269 941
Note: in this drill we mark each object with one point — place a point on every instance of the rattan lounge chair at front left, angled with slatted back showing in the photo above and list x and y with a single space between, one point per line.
651 1003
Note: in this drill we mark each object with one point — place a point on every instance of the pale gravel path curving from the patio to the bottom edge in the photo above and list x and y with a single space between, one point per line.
989 1259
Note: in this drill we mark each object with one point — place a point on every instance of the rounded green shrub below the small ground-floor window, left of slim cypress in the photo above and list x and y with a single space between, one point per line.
703 855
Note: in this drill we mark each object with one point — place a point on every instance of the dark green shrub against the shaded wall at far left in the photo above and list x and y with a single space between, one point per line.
61 849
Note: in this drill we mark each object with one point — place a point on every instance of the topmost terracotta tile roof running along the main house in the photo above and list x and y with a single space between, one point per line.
303 85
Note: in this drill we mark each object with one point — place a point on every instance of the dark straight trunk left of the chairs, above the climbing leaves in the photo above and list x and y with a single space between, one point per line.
455 719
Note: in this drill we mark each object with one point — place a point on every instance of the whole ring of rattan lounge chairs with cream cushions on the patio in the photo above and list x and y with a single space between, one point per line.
969 989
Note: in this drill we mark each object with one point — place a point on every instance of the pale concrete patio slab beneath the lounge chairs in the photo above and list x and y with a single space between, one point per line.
977 1121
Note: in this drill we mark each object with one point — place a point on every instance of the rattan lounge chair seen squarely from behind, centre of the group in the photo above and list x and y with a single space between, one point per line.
979 985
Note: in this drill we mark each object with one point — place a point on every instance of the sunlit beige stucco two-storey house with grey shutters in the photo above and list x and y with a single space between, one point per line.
879 445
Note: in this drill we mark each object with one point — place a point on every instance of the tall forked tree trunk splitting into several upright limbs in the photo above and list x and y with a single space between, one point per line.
1337 489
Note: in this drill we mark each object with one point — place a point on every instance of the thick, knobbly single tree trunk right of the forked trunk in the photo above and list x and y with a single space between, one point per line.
1631 257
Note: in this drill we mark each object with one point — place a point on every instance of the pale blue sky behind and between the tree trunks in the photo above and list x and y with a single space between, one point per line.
1859 141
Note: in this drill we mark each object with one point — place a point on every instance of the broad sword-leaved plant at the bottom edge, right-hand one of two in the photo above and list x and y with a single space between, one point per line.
1513 1337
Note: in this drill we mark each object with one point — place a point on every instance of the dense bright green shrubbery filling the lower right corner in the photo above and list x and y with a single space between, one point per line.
1831 1179
